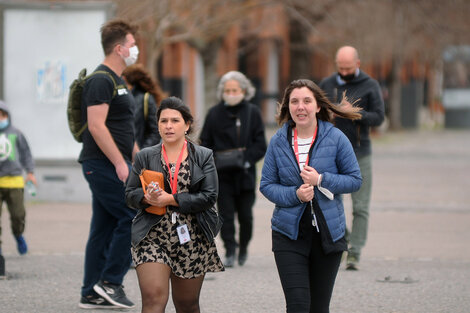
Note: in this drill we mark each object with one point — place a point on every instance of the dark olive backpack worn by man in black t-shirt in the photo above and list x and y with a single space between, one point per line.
74 105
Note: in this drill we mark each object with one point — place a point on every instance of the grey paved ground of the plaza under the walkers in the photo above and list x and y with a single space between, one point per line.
419 228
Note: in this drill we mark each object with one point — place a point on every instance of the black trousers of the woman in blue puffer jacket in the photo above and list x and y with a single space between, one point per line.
307 277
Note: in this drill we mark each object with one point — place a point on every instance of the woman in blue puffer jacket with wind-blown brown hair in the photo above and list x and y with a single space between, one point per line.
308 165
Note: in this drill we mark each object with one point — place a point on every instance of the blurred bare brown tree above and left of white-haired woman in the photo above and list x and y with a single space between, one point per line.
201 24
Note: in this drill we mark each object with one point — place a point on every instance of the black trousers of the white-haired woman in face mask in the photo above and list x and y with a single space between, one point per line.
240 203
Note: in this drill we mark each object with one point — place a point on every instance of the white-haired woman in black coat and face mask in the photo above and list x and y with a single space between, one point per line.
234 130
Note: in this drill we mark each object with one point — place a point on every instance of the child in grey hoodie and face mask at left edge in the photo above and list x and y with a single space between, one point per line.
15 157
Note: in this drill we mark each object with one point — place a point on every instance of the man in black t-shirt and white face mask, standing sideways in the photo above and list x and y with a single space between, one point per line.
108 148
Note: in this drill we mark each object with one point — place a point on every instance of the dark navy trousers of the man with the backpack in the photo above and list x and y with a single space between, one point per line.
107 254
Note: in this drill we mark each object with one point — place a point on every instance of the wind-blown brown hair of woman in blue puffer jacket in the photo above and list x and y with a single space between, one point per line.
327 109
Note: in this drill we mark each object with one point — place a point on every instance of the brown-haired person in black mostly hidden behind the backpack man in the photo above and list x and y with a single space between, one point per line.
147 95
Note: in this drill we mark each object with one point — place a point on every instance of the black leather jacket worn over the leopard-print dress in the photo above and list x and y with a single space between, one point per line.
202 193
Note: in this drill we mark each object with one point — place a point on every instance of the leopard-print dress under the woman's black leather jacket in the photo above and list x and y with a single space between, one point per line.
161 245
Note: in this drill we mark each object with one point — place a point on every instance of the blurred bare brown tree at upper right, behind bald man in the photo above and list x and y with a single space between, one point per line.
396 30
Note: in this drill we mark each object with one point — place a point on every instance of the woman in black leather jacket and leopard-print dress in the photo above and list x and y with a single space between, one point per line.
172 246
